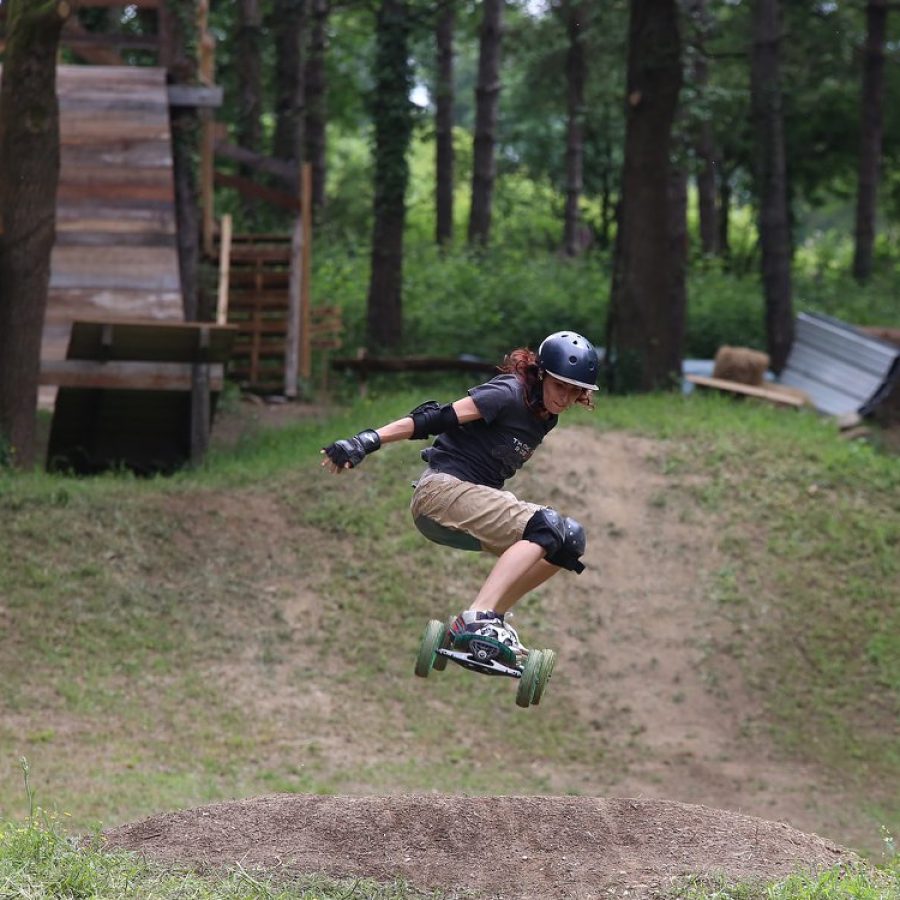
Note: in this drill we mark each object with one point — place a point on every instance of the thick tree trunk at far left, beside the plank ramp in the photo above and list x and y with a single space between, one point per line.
29 175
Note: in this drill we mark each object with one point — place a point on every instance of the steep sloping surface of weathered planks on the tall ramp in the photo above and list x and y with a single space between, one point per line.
116 249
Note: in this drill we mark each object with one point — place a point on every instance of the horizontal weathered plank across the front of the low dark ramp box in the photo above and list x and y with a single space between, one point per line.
135 376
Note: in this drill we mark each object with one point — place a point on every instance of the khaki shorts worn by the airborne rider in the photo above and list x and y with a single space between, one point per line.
468 516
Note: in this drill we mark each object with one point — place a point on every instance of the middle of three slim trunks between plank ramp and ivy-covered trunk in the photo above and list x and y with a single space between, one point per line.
289 34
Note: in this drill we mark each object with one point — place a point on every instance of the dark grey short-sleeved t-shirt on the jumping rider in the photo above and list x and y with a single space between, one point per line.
493 448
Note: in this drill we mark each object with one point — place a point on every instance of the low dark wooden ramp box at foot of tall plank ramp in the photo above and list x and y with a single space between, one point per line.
126 394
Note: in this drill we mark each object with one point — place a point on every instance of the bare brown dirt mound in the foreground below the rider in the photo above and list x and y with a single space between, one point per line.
511 847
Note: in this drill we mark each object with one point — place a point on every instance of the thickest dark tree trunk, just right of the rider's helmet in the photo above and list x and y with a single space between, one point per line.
645 326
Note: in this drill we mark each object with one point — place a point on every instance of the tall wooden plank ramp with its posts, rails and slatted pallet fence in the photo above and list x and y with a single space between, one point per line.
116 253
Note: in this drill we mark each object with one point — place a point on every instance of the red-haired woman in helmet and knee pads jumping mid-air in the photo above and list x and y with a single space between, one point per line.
481 441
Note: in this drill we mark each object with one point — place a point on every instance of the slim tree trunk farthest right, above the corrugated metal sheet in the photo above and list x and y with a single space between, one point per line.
871 105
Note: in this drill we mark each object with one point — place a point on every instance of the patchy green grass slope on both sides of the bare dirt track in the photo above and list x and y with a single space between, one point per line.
127 602
